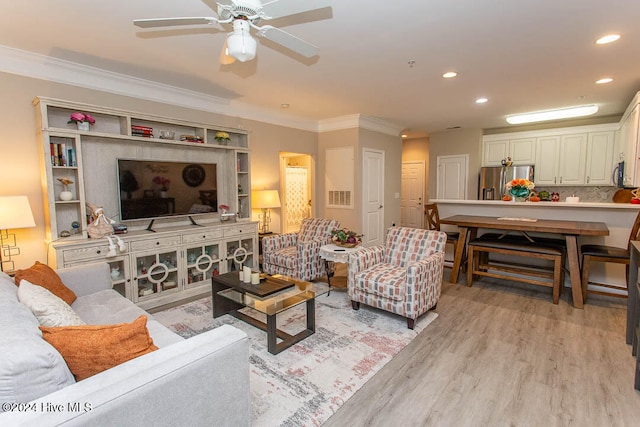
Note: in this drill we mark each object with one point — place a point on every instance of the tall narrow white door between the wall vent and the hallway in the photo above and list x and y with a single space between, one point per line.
372 197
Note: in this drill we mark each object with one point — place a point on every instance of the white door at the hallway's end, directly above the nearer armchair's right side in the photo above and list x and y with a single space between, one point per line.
412 194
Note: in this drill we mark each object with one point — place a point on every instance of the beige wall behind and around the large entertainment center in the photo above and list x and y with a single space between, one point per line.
20 171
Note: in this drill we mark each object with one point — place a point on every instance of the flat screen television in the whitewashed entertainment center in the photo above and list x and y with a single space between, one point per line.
153 189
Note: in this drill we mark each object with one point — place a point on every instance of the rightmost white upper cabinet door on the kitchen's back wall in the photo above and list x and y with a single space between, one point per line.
600 146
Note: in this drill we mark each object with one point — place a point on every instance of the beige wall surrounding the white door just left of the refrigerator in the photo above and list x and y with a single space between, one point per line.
459 141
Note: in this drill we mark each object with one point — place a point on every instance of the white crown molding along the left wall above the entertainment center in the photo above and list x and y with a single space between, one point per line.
20 62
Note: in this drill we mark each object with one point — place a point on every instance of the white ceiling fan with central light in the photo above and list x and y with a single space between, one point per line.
245 15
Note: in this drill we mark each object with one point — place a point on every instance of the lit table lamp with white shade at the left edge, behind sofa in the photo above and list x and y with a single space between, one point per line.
15 212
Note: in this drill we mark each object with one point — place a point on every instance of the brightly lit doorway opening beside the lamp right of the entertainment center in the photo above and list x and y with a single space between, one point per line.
296 188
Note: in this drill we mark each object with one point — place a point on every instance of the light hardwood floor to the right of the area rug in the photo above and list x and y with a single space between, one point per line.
504 355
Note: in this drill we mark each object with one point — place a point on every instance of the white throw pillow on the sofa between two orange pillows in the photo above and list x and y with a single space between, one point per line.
48 308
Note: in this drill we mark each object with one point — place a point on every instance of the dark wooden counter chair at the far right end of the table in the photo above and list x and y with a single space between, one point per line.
604 253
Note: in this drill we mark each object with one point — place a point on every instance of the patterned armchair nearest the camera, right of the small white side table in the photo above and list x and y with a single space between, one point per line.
403 276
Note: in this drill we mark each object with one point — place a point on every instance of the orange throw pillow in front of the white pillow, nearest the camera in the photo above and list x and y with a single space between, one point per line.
90 349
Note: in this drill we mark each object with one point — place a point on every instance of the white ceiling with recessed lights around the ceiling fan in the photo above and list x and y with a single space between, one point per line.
522 55
